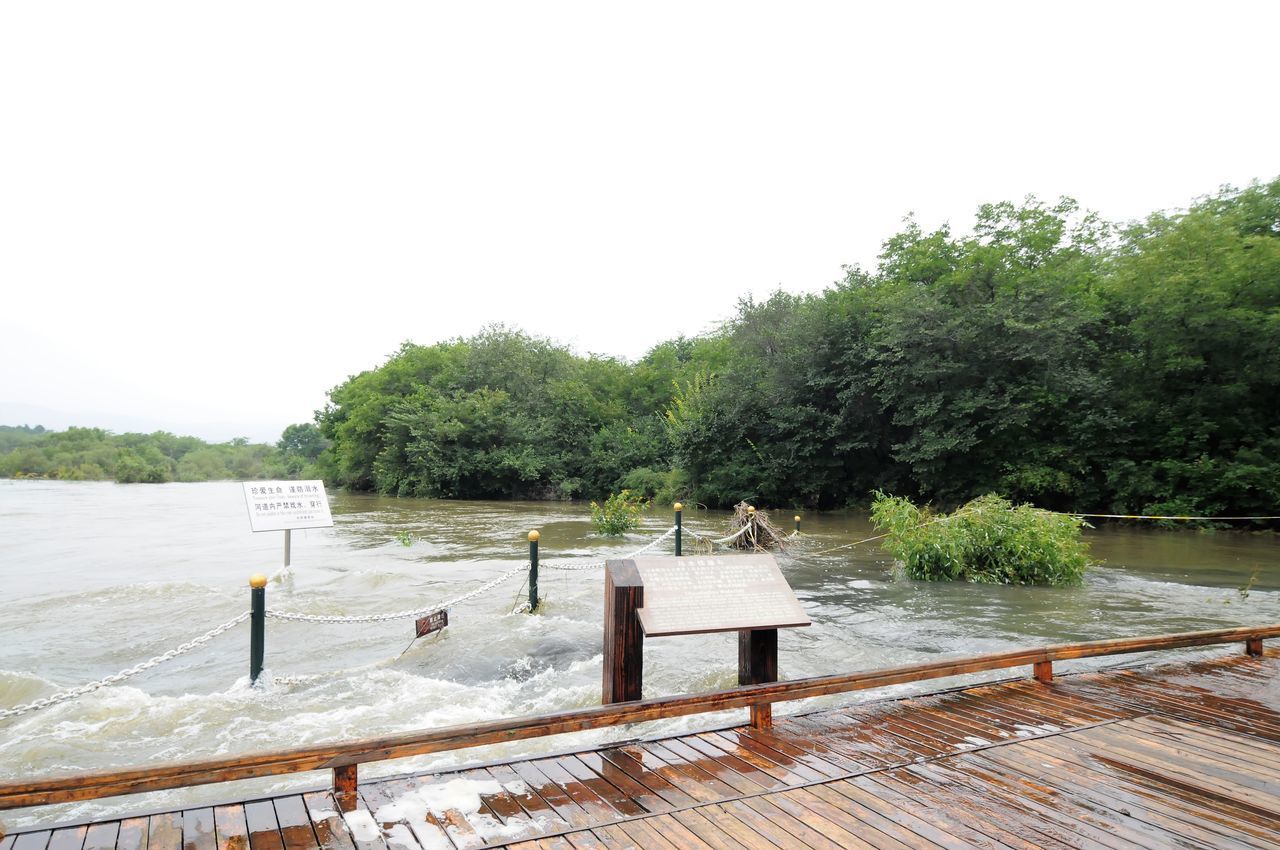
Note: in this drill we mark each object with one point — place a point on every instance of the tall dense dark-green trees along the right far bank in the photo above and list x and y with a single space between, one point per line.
1046 355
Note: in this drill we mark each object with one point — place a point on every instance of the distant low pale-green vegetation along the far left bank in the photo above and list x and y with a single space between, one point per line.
93 454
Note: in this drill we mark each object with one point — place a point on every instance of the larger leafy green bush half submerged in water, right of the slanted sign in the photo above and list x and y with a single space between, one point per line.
988 541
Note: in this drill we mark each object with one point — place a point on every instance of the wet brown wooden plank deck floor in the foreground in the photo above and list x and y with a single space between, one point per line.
1164 757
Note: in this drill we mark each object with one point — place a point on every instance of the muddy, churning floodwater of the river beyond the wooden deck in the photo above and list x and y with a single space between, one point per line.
100 577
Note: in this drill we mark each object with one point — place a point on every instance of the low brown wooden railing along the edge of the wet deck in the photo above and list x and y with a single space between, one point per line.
344 758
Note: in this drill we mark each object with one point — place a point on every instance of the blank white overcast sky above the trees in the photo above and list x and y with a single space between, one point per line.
211 214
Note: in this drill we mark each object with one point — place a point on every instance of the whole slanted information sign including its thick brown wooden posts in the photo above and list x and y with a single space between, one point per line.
662 597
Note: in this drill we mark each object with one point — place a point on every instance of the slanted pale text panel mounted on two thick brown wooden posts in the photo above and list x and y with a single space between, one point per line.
693 596
